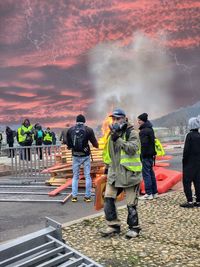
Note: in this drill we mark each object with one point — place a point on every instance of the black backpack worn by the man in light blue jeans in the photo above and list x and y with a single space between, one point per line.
79 138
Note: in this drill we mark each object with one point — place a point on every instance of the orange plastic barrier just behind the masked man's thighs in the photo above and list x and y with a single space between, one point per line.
100 186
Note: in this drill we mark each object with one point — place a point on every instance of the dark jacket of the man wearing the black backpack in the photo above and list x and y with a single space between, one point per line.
89 137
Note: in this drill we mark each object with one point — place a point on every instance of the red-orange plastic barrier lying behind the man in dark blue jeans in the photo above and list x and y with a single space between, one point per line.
165 178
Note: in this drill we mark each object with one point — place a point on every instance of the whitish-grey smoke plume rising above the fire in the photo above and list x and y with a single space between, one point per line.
136 78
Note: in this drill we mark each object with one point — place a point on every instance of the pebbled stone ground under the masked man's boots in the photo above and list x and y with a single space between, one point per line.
170 236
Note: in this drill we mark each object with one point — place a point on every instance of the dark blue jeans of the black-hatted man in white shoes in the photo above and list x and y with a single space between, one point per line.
149 176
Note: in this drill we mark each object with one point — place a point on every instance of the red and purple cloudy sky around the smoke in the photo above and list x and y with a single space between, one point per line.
44 48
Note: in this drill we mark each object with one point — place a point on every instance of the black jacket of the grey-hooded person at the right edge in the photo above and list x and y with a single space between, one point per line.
191 154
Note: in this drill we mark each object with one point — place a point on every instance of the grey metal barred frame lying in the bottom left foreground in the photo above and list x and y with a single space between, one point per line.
43 248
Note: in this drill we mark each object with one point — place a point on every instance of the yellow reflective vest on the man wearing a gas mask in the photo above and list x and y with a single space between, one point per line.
130 162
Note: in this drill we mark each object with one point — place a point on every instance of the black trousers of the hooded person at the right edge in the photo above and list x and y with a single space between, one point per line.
187 185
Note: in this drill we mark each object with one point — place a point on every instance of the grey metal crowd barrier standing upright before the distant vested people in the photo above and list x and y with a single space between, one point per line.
30 161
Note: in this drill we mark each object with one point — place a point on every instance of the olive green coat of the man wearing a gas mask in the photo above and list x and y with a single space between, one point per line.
118 174
